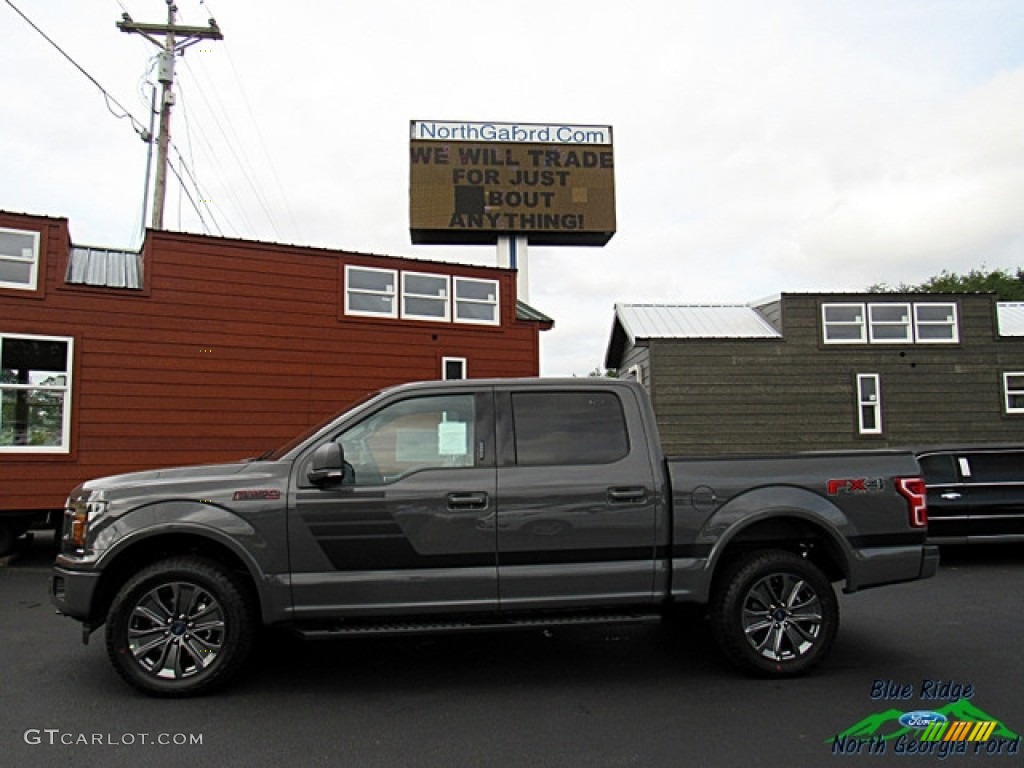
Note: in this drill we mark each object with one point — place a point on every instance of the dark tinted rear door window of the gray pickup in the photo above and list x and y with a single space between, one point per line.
560 429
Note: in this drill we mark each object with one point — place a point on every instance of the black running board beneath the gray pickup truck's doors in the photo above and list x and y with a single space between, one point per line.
369 628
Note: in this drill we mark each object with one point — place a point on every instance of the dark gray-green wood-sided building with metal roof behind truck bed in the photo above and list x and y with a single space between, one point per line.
809 372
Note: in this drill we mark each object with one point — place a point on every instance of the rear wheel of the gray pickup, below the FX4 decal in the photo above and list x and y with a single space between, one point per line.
775 614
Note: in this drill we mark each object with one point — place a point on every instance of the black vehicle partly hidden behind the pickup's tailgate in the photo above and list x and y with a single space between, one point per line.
975 495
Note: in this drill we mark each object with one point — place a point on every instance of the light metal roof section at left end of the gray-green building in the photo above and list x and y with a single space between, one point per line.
694 322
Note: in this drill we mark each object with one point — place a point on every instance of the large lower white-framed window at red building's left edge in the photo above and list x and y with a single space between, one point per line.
35 395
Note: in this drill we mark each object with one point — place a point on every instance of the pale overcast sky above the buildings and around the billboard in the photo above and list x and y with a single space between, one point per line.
760 147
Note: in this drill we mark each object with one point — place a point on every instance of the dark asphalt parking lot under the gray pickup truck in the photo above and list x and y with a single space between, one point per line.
634 697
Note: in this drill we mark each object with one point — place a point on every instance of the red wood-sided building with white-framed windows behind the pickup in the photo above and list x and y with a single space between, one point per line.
206 350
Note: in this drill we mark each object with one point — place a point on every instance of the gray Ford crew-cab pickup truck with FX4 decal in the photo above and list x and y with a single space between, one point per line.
479 505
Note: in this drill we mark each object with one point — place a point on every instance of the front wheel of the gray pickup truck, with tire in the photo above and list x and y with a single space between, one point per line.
181 627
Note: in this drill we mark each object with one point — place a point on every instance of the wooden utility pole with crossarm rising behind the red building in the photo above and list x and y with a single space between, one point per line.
176 40
